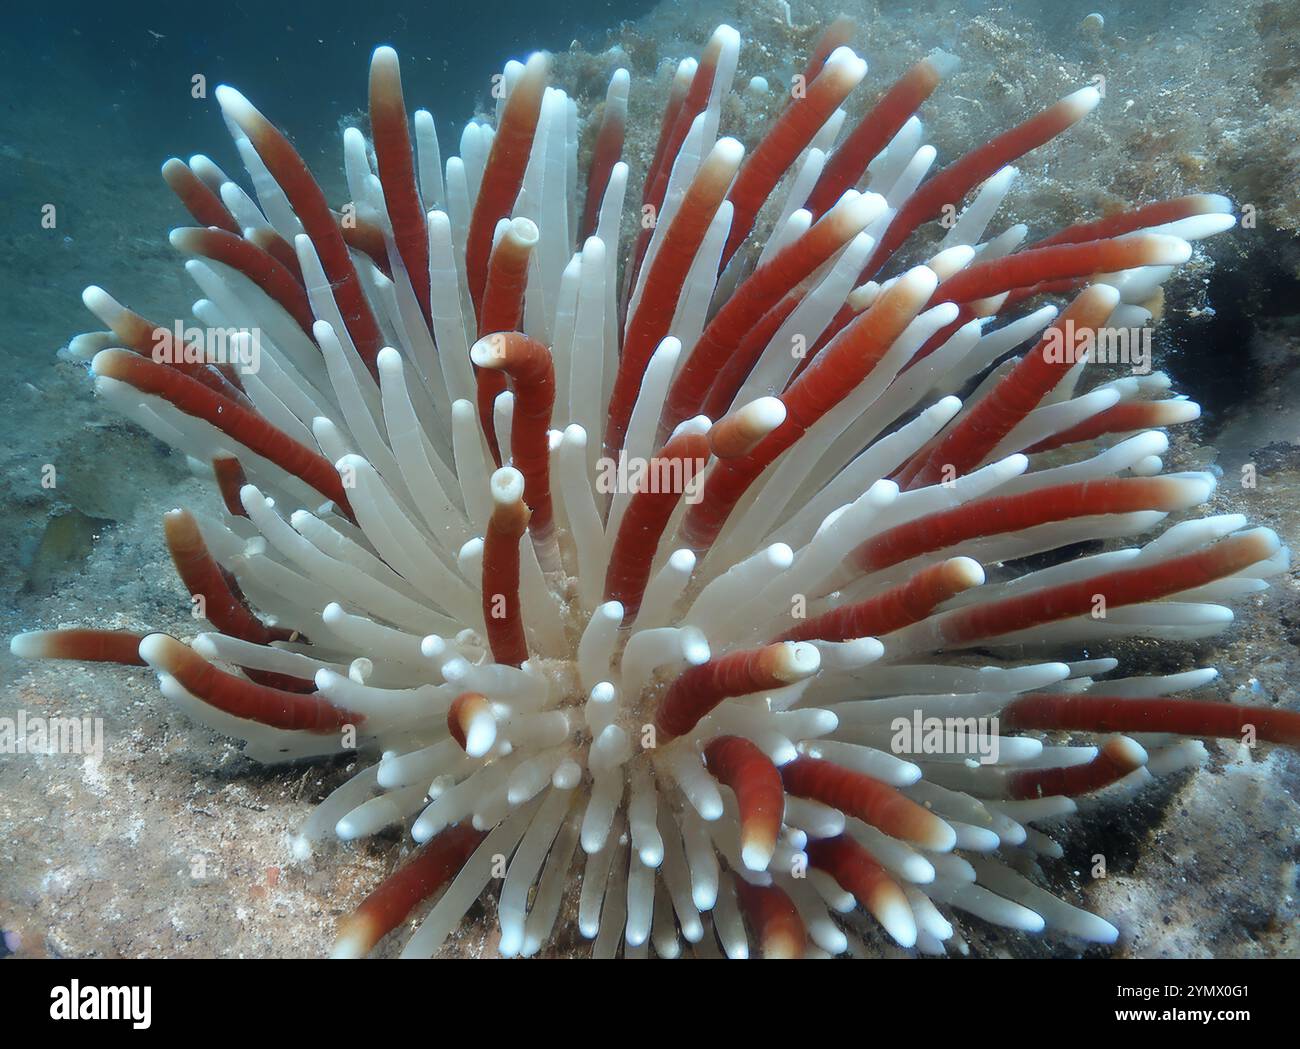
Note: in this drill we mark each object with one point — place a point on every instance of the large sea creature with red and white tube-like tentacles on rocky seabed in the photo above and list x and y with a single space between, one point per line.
671 565
